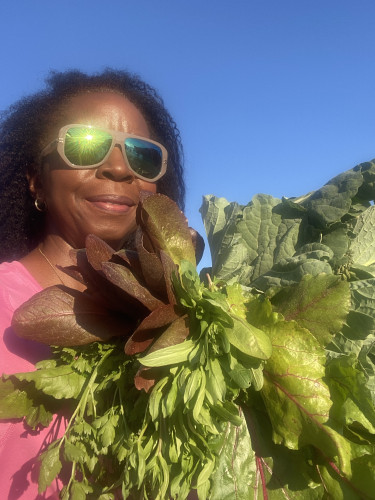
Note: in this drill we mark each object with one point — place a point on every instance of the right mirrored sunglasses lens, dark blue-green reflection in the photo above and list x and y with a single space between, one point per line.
144 157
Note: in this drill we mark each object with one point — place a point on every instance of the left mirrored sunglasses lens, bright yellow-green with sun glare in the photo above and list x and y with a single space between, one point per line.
85 146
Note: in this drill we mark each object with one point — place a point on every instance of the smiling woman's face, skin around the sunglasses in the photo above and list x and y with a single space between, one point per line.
102 200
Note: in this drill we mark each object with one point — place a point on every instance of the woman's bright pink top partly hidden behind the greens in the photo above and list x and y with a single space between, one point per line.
20 446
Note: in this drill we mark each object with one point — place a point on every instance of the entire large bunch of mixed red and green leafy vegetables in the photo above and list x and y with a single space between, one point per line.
256 381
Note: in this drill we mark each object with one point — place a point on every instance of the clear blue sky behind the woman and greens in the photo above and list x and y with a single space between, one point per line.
270 96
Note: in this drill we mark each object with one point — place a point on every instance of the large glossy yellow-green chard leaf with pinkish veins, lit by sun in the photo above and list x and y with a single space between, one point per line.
297 398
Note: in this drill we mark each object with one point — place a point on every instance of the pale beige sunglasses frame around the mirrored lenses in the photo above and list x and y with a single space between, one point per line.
118 139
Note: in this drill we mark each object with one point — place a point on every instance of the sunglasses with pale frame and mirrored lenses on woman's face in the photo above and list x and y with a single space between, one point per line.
84 146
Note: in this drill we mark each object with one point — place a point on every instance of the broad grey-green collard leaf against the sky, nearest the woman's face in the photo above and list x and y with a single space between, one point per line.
250 239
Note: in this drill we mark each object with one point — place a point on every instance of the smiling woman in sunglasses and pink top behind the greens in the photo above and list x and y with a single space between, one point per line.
73 161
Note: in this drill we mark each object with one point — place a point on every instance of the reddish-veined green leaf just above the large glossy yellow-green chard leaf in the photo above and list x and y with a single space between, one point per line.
320 304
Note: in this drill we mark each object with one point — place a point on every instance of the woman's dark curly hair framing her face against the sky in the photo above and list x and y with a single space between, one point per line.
25 125
